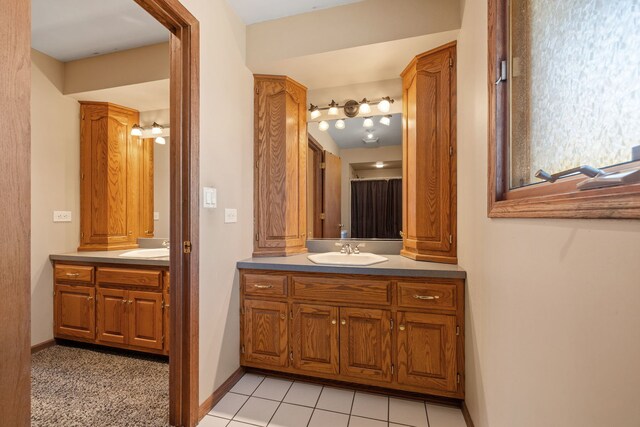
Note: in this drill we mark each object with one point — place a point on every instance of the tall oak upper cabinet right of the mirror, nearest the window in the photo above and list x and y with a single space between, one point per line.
429 156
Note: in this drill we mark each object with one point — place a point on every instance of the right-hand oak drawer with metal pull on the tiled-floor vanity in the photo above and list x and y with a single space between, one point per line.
427 295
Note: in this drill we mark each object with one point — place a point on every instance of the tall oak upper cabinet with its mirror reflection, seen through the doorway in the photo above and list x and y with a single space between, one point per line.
114 179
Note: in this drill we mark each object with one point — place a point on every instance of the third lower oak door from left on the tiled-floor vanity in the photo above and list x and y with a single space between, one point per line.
365 343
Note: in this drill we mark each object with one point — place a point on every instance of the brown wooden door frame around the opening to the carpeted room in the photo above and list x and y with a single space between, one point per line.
15 250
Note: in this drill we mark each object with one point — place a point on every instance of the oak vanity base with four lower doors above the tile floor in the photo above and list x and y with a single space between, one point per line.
392 332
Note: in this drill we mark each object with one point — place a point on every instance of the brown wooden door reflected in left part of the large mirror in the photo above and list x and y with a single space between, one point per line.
332 196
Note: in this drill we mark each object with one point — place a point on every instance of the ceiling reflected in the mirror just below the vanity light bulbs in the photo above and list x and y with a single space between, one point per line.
351 136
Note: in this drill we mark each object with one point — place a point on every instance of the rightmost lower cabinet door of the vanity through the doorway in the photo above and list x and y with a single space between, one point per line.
145 319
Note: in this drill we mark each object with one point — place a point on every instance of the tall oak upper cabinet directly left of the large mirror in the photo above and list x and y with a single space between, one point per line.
280 154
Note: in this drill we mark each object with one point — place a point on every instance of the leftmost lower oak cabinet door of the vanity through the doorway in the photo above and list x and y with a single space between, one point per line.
74 311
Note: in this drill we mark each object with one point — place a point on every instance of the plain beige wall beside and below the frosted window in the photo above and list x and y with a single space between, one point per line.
553 306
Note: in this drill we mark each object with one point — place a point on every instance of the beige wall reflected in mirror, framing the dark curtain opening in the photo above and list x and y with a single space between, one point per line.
361 155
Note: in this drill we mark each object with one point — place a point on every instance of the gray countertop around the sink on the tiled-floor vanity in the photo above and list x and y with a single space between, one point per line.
396 266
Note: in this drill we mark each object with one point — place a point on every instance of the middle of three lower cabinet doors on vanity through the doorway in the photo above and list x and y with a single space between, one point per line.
111 316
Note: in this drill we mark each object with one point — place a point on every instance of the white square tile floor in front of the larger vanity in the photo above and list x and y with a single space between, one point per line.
264 401
